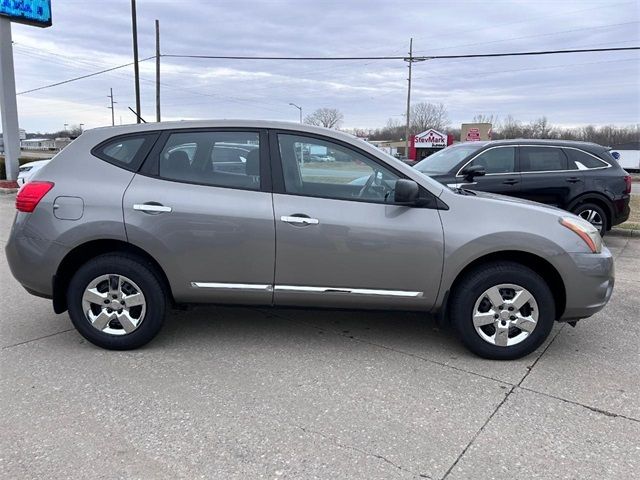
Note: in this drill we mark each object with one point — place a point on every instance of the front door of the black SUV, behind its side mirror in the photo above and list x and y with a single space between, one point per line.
500 165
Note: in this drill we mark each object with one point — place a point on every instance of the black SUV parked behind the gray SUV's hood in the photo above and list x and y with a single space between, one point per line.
580 177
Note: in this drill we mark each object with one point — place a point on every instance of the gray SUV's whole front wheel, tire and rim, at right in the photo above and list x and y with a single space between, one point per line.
502 310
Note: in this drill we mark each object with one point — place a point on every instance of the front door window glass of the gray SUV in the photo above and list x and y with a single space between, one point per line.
320 168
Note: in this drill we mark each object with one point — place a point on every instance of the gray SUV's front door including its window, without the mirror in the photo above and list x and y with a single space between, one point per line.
340 239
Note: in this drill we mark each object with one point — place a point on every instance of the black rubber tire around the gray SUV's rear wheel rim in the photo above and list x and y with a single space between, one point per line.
138 271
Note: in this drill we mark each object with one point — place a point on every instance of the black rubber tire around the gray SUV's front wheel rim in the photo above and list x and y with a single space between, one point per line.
479 280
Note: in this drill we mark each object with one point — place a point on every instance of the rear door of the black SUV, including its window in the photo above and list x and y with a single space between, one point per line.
548 176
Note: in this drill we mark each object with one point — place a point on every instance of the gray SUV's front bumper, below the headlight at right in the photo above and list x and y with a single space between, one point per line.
589 284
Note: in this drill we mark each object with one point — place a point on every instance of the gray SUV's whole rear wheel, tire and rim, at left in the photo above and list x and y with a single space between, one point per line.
116 301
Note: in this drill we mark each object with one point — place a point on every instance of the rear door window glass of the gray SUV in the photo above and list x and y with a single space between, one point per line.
223 159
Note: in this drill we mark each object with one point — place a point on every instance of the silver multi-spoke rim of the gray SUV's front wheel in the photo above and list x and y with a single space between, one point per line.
505 315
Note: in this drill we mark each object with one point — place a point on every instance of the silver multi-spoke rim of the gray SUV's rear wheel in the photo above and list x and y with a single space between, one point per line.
114 304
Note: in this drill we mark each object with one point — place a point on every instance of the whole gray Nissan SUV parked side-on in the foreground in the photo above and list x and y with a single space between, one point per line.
129 221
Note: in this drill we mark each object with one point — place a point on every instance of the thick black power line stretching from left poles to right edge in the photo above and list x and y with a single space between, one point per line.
415 58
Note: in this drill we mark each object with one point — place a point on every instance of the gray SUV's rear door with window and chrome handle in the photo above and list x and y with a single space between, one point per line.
201 206
